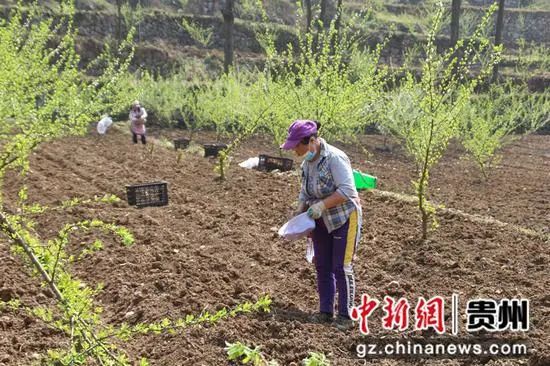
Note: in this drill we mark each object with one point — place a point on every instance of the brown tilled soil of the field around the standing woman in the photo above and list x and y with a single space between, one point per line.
215 245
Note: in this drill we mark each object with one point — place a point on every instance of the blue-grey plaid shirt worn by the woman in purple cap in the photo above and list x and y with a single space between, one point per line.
321 178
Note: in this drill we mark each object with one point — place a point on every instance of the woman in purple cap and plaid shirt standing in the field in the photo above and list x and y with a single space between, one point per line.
329 196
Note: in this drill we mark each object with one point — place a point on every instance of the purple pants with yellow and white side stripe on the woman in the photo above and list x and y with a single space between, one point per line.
333 256
